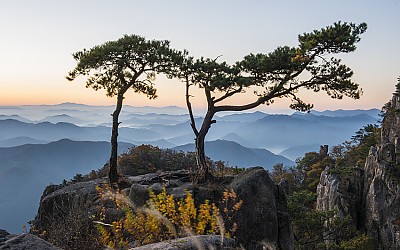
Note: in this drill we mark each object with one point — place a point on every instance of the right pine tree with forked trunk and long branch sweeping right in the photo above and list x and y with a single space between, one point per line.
279 74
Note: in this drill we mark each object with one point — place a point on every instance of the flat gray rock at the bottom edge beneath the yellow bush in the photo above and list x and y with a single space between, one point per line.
205 242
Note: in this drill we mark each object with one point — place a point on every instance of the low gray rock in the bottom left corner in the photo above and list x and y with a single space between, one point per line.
23 242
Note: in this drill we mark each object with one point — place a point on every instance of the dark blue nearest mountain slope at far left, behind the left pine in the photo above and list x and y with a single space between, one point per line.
26 170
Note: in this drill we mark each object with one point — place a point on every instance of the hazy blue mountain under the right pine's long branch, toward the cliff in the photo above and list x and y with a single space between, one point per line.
283 131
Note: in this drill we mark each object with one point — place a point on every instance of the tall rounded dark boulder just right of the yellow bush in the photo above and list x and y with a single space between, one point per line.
263 220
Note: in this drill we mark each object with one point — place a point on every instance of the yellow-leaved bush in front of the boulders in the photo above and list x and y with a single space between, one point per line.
165 217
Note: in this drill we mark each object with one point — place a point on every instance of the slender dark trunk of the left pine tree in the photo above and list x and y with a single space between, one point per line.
113 173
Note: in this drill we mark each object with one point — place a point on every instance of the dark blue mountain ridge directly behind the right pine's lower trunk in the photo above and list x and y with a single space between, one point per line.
237 155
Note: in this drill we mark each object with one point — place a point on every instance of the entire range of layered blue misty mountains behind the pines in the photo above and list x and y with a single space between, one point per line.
40 145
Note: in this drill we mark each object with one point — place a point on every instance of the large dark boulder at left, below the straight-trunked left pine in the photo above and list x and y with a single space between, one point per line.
66 213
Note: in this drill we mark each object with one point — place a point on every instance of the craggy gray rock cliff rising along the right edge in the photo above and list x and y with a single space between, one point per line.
370 194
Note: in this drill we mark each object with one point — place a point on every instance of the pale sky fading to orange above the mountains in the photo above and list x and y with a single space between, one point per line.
39 37
